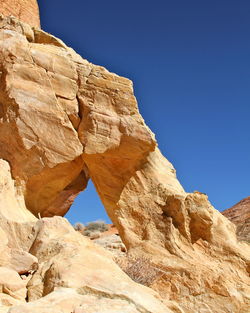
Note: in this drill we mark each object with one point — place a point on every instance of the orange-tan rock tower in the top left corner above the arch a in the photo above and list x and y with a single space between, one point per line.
25 10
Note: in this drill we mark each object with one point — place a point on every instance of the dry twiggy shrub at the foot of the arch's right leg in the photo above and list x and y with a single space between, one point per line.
140 269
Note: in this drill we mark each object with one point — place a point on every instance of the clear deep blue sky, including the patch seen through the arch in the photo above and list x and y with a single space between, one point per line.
190 63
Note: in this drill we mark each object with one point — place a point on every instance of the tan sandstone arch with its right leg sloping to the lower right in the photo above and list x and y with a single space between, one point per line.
63 120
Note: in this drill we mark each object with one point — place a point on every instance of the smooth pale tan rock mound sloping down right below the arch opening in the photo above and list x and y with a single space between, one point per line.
68 259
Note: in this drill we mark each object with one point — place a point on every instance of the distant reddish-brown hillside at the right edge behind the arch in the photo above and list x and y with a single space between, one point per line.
239 214
